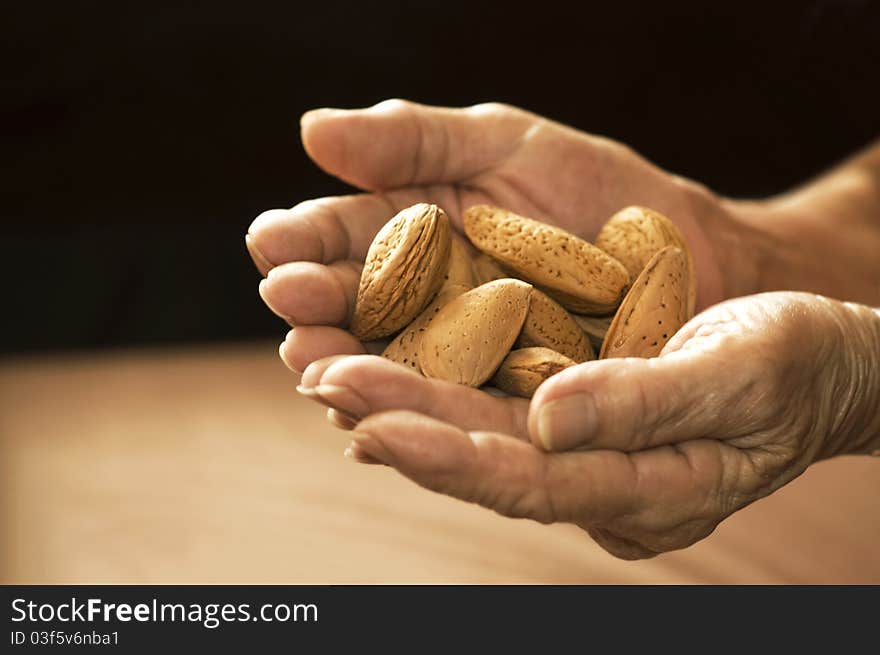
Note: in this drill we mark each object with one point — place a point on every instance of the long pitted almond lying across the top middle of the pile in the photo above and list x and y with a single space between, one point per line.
578 275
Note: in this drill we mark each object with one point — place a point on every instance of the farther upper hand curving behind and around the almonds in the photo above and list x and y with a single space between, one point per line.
405 153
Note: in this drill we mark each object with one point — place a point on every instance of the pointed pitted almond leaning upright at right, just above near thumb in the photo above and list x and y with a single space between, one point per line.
654 309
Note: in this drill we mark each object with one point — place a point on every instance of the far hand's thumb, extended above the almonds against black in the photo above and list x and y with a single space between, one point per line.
398 143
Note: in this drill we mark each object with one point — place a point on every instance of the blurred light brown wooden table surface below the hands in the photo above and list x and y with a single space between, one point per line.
205 466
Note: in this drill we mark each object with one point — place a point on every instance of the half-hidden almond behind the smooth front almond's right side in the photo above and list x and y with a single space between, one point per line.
548 325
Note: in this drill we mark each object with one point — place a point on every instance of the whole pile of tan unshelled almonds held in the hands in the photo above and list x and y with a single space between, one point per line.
534 300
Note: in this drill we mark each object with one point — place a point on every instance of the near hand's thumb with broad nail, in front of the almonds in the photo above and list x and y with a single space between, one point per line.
633 404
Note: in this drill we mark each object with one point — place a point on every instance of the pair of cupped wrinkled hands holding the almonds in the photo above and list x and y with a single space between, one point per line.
645 455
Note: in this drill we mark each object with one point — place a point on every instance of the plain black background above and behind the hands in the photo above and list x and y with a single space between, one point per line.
140 139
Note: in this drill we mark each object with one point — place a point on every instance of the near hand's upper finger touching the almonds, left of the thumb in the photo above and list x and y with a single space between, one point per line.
361 386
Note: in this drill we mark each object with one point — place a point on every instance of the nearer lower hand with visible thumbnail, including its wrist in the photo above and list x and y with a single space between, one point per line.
645 455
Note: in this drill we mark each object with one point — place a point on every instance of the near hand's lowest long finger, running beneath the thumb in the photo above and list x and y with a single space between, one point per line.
500 472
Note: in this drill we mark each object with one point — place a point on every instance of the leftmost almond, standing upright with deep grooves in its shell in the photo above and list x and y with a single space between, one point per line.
404 269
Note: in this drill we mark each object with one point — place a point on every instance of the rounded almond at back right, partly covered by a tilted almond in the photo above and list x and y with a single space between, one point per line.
634 234
